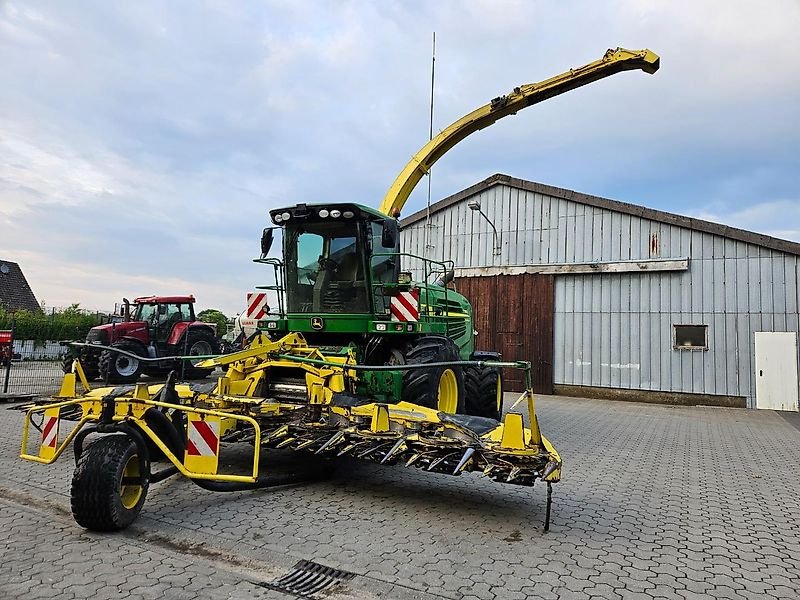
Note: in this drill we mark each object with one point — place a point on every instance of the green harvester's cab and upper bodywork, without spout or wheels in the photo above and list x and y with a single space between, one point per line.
341 276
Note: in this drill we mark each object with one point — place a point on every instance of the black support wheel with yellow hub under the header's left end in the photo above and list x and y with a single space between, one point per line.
100 500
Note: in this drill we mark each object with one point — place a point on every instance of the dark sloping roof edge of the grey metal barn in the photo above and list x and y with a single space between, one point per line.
749 237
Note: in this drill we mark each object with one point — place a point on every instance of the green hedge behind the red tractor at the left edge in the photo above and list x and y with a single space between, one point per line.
70 323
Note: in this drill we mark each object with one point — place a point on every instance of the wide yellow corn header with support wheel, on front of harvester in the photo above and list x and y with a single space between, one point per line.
190 427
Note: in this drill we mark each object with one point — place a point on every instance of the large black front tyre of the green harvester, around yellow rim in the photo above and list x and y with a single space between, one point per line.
421 386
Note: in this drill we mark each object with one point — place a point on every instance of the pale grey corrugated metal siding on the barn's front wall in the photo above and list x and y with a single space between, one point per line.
616 330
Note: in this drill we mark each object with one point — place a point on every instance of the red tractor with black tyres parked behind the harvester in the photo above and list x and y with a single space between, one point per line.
157 327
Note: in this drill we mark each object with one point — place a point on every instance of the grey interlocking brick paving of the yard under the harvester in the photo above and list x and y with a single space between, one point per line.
656 502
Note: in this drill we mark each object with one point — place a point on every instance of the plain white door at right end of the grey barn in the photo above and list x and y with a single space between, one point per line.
776 370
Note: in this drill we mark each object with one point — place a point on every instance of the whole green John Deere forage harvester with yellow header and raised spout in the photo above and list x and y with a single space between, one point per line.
357 361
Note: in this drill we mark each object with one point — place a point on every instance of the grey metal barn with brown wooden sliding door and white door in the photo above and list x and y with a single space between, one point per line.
615 300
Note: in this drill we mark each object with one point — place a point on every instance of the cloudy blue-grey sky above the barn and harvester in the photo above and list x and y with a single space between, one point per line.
142 143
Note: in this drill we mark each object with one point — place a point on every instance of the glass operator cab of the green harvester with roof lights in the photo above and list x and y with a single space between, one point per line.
335 256
